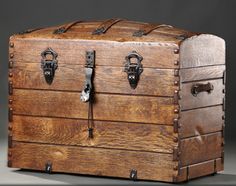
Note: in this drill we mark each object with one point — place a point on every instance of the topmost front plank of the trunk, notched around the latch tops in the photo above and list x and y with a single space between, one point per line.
107 53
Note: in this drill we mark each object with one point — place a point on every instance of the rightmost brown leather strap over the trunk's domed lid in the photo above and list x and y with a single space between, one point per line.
148 28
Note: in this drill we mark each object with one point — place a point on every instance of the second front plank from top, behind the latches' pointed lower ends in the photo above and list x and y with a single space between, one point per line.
158 82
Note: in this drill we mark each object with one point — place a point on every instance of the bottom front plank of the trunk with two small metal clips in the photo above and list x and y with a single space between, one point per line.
94 161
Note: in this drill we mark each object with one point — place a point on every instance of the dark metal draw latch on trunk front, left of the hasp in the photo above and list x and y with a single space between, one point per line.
49 64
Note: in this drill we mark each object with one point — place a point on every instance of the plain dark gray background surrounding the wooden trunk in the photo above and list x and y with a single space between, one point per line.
210 16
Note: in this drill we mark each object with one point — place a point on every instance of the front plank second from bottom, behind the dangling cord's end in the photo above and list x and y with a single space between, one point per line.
116 135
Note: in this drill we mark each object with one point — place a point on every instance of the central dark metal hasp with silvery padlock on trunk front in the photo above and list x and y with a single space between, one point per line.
89 66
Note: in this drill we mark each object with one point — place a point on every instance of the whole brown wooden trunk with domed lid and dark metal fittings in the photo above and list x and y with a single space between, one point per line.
117 98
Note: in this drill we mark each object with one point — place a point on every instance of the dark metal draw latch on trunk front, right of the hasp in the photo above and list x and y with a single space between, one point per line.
133 70
